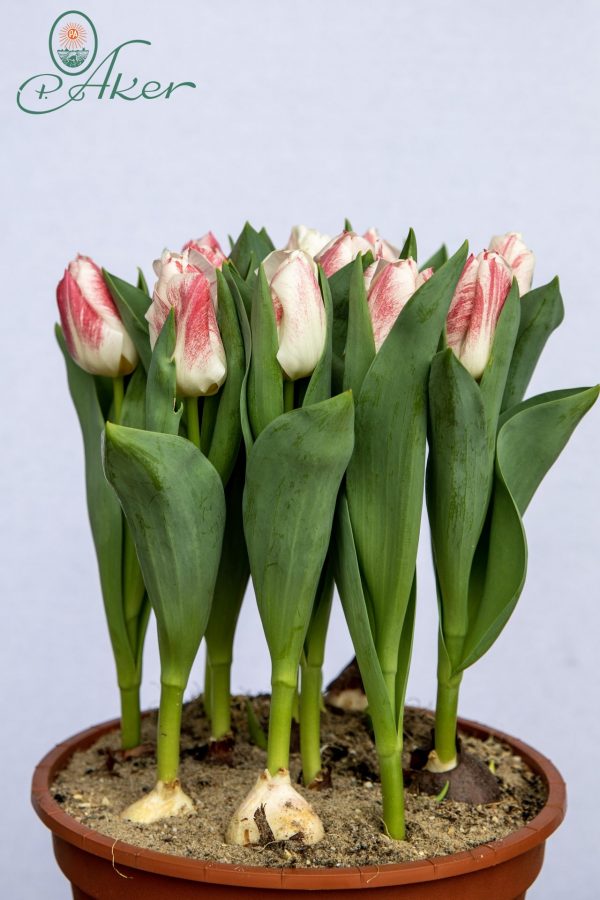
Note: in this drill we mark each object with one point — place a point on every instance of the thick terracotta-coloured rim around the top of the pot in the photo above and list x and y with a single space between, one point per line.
484 856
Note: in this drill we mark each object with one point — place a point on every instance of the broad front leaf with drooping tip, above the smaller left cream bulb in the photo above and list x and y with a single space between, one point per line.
173 500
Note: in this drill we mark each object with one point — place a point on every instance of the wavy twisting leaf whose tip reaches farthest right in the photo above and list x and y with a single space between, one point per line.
530 439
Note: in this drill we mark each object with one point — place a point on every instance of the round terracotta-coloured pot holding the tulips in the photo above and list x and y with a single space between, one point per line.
99 867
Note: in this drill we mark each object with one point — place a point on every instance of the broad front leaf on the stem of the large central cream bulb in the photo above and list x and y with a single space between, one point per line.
292 479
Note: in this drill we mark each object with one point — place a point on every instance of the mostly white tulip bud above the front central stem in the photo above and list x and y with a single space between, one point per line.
299 310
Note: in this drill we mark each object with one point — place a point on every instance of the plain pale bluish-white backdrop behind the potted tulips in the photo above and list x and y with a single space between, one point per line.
462 120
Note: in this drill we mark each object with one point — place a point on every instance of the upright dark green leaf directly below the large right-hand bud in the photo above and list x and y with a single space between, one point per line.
459 481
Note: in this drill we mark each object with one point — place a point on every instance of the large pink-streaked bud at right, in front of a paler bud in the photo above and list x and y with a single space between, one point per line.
480 294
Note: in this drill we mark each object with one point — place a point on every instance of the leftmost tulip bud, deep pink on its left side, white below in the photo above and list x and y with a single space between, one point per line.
95 335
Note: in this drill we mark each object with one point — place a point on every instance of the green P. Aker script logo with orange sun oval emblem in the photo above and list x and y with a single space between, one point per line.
73 44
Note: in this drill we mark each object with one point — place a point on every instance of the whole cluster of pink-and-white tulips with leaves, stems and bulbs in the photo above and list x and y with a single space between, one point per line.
280 415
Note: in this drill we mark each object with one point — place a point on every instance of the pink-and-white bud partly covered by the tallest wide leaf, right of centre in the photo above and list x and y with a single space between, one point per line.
390 287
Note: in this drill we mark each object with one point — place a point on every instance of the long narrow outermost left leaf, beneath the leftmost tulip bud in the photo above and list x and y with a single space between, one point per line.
104 514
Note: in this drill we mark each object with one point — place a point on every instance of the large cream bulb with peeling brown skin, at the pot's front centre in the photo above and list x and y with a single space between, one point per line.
274 807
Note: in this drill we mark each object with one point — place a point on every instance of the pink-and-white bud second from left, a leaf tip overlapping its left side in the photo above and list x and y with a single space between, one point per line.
185 284
